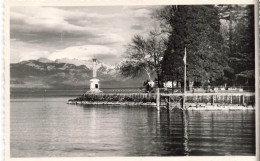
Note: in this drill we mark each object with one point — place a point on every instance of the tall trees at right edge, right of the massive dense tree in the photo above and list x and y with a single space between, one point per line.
238 32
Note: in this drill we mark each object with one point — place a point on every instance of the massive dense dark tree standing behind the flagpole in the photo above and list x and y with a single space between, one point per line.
196 28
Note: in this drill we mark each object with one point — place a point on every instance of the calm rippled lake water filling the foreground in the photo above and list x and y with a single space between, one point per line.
44 127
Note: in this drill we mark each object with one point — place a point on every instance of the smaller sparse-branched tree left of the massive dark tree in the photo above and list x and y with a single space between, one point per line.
144 55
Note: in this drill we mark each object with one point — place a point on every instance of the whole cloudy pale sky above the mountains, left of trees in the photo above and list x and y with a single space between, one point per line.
76 32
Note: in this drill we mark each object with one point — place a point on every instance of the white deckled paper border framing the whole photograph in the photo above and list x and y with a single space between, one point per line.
6 63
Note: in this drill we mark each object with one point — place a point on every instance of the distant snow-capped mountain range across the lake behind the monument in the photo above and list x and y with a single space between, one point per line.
66 74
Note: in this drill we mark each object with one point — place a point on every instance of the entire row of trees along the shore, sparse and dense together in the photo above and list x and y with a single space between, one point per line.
219 41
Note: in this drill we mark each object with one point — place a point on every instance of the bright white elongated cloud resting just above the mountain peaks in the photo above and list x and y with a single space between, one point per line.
86 52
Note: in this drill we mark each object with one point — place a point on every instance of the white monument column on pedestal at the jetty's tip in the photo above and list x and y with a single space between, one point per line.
94 86
